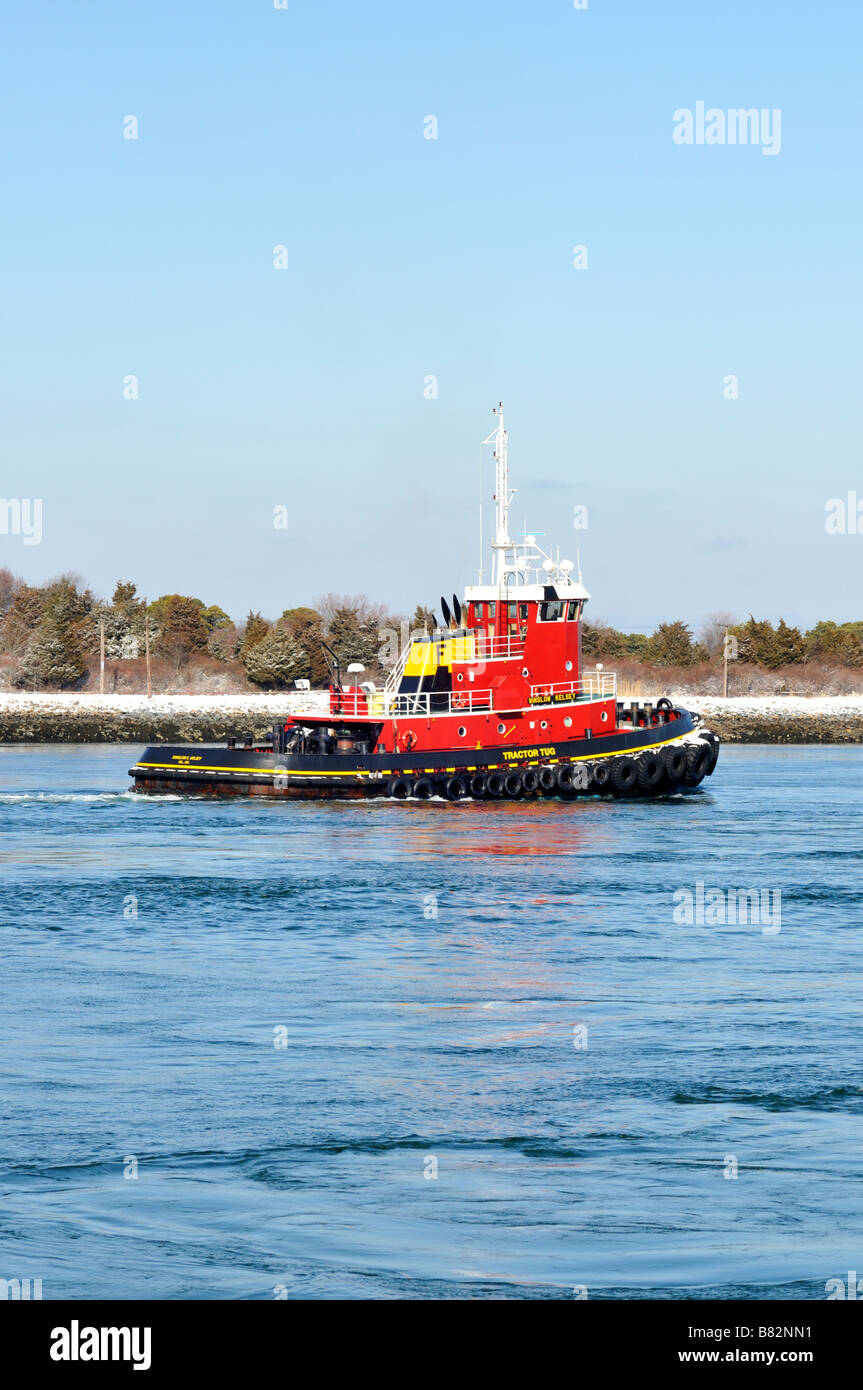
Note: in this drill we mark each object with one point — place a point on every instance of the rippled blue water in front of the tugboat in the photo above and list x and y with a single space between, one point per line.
436 968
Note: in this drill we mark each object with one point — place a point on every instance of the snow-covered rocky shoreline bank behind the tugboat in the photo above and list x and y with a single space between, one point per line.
201 719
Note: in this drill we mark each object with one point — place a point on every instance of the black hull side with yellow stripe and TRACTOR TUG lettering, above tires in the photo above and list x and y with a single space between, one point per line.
204 771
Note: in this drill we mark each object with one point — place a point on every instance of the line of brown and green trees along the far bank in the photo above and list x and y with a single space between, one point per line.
52 633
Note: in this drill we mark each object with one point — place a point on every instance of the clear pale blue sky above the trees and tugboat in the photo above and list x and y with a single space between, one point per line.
452 258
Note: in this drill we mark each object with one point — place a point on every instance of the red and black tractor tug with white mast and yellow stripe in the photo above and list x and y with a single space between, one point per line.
493 704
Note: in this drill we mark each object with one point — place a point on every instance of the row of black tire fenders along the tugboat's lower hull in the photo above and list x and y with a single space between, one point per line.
676 765
